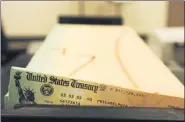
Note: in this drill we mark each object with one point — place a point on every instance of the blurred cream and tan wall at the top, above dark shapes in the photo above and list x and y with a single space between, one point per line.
36 18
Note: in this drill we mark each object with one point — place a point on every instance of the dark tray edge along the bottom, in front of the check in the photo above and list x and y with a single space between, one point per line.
45 112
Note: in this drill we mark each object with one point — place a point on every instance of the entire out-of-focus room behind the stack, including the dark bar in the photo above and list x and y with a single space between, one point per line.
25 24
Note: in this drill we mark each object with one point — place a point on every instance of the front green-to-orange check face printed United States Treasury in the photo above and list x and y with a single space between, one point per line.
27 87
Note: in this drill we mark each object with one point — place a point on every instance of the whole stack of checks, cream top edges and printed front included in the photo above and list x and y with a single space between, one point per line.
95 66
